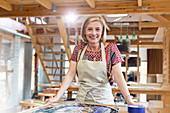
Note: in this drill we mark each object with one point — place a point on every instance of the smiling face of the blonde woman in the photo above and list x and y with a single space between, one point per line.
93 32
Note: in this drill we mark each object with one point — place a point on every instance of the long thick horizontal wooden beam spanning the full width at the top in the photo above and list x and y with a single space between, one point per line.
153 7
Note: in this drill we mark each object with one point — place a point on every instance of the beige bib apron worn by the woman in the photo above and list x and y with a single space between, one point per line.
94 86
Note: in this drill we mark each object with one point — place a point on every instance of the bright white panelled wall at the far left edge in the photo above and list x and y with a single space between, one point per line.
11 92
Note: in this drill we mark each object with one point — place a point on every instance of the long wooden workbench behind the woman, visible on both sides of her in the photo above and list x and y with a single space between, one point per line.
165 94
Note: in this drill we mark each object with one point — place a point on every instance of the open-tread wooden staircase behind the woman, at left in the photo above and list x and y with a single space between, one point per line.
48 49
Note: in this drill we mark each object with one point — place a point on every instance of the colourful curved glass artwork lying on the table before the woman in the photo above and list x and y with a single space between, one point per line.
71 107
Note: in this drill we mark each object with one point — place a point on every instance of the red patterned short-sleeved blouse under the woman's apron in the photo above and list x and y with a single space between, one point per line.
113 56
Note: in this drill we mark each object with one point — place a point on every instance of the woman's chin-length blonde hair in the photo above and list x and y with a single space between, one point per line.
93 19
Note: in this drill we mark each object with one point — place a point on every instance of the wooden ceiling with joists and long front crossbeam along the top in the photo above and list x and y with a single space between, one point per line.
12 8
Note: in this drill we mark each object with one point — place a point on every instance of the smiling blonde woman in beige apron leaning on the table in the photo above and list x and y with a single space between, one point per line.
95 62
